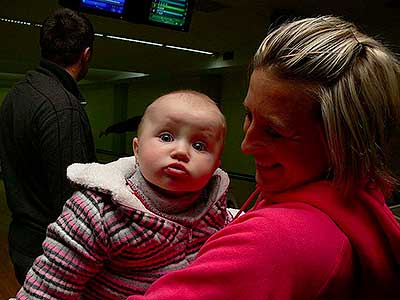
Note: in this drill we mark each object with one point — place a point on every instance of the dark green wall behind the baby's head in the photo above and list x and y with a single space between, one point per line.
109 104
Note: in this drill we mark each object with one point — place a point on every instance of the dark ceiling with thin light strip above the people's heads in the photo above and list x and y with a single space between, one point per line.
219 26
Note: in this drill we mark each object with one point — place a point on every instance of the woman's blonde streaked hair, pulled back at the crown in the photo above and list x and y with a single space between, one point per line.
355 79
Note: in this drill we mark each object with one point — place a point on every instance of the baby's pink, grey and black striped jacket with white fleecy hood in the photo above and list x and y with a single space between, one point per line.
108 244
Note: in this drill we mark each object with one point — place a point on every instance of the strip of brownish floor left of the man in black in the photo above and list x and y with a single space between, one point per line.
8 285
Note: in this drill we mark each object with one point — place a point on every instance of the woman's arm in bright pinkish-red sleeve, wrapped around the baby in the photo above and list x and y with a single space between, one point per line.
274 254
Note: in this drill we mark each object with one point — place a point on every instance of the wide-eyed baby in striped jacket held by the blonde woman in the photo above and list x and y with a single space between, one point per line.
139 217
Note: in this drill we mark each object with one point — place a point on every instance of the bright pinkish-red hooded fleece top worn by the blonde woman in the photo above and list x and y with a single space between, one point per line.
306 243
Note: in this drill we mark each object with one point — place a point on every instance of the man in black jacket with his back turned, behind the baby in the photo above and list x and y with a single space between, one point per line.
44 129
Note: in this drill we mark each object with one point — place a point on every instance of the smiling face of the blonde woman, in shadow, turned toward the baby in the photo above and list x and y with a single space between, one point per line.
283 133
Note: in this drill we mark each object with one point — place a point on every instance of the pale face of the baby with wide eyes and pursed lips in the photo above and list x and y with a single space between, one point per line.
180 145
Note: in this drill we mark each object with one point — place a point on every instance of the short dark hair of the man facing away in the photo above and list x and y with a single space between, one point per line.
64 35
